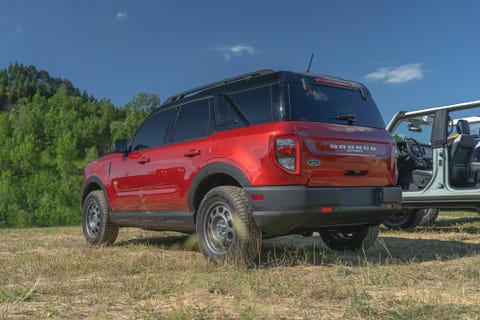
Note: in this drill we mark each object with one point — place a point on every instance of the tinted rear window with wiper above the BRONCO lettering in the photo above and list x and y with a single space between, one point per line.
333 105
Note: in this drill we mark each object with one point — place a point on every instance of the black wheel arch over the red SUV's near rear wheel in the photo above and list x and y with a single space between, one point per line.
211 176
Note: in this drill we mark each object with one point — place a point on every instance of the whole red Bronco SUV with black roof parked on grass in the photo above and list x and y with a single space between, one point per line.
259 155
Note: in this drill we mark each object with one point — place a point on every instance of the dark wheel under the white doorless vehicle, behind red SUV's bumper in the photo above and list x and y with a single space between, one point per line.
409 219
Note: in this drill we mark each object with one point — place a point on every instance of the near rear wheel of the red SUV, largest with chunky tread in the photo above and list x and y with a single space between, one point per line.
226 228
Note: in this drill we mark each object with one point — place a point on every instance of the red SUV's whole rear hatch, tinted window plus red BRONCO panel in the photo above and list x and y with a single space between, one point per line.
343 137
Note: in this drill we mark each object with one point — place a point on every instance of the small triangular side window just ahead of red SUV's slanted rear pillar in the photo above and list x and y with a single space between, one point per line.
226 117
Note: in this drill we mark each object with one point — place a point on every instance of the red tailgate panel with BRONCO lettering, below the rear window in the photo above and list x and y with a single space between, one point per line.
343 155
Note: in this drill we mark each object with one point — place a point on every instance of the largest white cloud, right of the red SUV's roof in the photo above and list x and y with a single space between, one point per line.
402 74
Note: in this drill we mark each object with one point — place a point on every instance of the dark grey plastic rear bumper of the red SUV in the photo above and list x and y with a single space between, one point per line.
294 208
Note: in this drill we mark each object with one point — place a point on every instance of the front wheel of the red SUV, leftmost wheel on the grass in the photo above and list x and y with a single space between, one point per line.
97 227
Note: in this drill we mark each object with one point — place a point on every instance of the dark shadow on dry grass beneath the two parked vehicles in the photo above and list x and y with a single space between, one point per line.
295 250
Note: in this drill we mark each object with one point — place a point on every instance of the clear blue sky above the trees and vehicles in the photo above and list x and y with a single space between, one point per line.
411 54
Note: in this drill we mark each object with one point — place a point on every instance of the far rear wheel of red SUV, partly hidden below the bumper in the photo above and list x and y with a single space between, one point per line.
362 238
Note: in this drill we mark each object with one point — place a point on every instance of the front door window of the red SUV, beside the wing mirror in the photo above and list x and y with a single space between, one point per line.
152 132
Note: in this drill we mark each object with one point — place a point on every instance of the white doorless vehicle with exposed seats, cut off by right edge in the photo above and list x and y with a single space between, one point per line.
438 161
